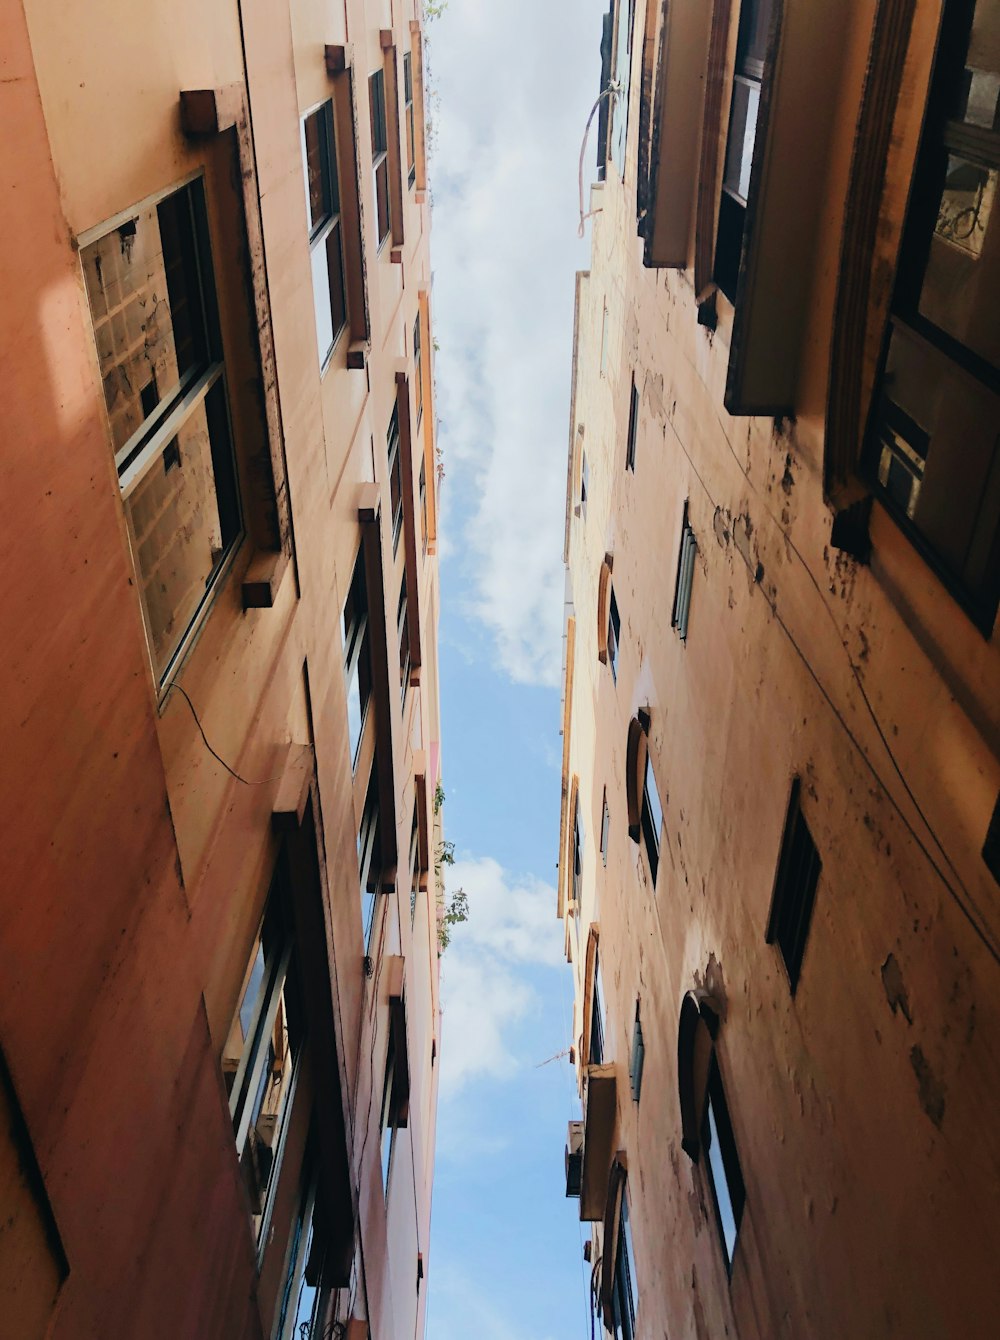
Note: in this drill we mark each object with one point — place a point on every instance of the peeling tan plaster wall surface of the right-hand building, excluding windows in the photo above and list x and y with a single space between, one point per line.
860 1105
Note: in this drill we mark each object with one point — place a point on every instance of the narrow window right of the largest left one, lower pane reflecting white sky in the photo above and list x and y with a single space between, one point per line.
326 234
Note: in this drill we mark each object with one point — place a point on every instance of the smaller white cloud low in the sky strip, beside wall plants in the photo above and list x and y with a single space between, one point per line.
486 992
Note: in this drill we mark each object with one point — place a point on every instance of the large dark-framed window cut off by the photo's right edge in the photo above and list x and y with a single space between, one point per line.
934 448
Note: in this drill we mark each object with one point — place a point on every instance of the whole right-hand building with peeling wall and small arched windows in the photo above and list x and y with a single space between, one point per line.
781 844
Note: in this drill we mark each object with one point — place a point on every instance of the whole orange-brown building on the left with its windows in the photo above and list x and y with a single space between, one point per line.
219 1007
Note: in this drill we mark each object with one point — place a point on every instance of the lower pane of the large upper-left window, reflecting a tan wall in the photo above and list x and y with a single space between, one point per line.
178 533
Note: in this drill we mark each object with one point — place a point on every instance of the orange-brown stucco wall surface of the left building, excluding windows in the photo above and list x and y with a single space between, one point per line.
136 868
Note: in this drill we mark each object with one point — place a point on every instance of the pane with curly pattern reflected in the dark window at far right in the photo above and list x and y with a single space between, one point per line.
963 271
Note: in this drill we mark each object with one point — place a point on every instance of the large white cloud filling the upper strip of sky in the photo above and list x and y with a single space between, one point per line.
515 84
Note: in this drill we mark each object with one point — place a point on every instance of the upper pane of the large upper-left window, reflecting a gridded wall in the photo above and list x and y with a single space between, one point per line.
149 320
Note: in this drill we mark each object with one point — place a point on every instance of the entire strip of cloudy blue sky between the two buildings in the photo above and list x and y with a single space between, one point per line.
513 86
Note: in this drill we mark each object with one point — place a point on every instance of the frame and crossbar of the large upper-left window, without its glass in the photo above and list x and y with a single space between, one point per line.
206 385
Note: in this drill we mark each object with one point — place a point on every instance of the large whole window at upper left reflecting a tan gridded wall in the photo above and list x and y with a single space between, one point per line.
153 305
